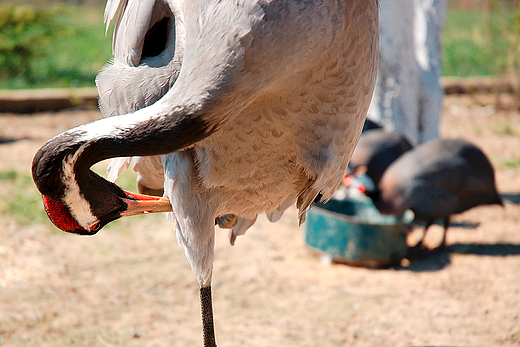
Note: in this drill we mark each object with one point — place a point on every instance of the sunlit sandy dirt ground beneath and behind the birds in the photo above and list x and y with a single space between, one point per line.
130 285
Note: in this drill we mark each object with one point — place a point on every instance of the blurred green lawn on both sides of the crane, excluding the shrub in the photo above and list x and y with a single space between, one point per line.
472 46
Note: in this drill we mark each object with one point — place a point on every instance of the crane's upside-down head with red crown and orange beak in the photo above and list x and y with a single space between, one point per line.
78 200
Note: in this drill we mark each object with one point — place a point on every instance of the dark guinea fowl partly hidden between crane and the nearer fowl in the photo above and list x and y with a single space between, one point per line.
376 150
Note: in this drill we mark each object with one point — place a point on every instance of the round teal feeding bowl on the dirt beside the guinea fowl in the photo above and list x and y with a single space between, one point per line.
352 231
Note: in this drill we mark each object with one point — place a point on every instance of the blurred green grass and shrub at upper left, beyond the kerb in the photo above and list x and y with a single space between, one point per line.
51 46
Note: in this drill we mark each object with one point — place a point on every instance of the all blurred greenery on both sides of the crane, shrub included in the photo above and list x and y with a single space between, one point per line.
66 46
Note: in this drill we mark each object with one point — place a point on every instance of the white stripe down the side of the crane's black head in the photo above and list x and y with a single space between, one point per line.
73 196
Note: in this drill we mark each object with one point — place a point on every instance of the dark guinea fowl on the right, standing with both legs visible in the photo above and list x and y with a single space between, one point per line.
436 180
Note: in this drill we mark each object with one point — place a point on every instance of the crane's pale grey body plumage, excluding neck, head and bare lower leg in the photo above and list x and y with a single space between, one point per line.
297 80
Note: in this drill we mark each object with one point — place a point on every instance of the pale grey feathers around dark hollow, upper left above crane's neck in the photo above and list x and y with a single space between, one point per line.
129 83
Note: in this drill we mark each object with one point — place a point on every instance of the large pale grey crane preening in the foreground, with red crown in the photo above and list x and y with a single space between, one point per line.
232 108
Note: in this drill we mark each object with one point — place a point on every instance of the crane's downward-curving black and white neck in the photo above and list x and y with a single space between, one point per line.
69 156
